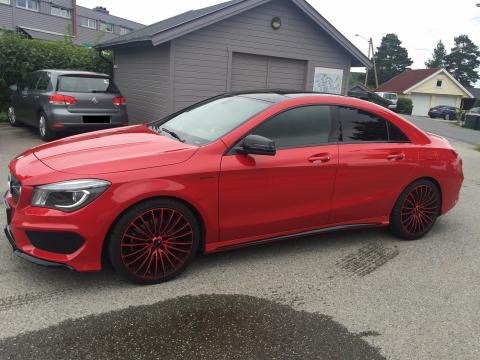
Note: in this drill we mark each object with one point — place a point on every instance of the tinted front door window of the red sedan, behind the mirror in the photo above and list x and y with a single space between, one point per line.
299 127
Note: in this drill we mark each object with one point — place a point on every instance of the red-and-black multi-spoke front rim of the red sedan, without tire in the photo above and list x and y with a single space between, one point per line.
157 244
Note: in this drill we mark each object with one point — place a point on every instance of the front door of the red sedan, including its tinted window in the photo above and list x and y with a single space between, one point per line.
263 196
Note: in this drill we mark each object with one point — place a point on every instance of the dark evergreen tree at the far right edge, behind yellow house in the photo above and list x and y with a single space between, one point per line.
463 61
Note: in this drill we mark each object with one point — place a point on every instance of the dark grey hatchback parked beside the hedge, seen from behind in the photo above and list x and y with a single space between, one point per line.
57 101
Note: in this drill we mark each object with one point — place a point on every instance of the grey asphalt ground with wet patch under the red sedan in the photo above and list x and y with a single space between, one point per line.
350 295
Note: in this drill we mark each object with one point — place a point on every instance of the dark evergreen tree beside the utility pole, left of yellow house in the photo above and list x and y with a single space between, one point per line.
391 59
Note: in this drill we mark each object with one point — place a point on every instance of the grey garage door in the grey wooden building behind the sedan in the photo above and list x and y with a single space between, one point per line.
250 72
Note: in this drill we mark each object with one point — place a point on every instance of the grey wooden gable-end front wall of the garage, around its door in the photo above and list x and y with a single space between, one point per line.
202 59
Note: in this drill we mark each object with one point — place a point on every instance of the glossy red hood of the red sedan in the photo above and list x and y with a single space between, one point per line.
116 150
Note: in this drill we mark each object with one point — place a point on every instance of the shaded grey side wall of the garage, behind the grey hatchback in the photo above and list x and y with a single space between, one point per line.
142 75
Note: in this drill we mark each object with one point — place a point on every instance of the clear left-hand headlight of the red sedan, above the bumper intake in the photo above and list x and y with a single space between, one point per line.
68 195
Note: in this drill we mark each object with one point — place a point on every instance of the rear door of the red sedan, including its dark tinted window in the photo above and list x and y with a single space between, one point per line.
376 162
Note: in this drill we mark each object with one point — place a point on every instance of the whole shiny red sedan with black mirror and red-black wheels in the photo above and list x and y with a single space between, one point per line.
235 170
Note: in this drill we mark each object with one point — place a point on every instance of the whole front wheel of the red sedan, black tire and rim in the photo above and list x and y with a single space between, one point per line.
148 259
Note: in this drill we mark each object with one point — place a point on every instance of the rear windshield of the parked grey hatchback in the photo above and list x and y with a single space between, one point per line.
86 84
